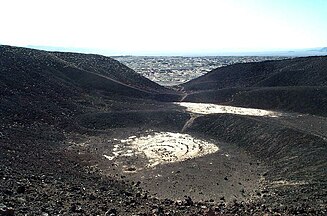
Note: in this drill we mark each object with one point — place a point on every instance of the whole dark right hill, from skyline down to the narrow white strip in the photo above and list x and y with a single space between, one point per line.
297 85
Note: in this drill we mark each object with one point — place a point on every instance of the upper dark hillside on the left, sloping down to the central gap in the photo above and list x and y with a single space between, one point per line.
80 70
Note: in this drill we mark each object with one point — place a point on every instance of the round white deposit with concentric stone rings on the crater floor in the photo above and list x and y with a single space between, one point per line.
163 147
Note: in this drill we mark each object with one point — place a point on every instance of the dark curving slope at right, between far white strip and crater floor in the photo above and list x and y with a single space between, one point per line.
296 159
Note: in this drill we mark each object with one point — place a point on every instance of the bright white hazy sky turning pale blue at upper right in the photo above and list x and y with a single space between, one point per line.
165 26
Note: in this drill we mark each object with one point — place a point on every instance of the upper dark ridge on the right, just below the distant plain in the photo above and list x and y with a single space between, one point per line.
307 71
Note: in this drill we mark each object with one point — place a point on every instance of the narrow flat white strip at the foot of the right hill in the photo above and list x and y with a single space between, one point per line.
206 108
